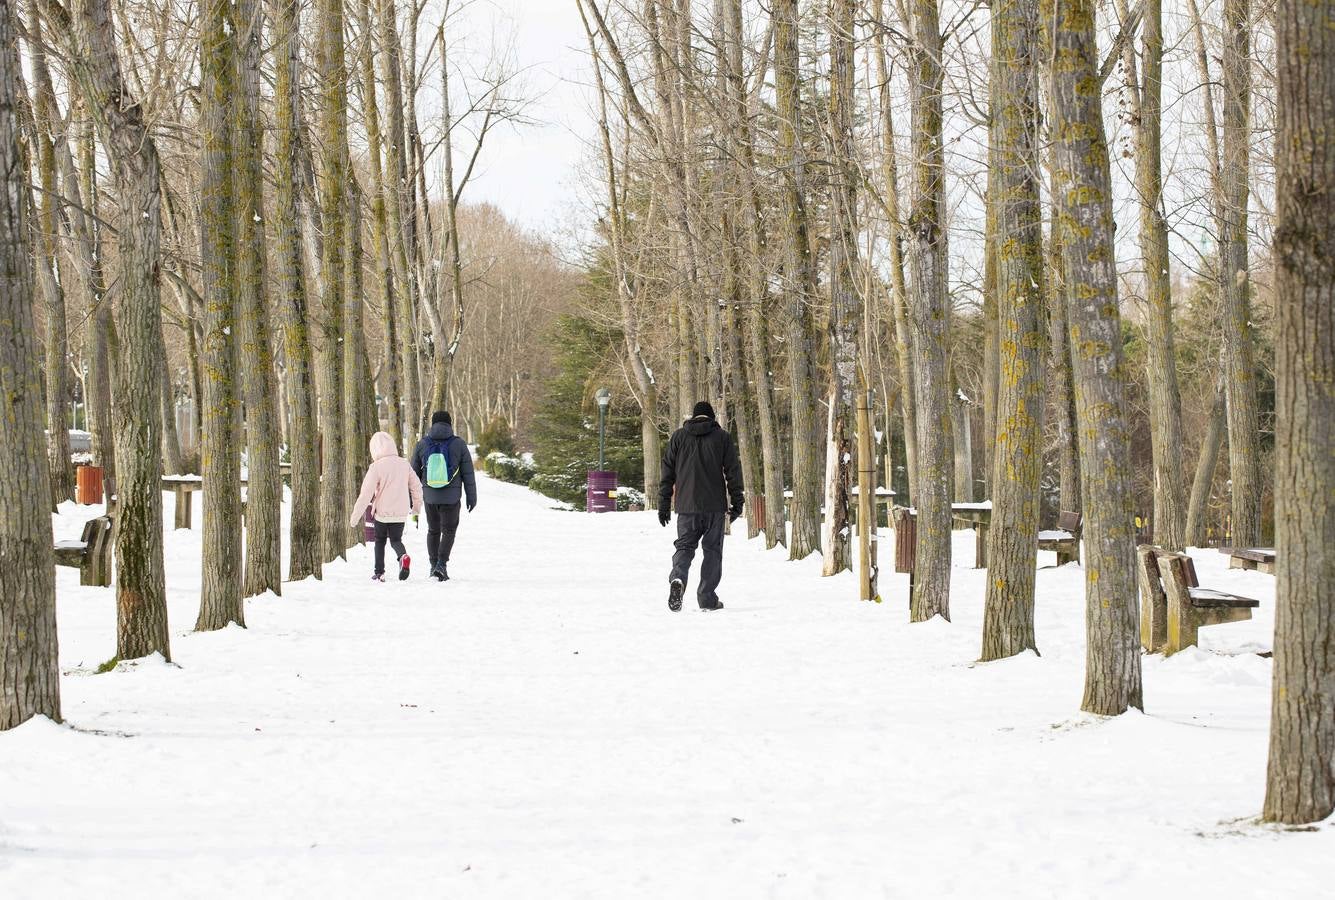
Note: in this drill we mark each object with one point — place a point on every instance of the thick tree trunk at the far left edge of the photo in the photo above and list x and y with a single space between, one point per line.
30 670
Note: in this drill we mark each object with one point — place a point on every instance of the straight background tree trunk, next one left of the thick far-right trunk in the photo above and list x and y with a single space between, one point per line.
1241 385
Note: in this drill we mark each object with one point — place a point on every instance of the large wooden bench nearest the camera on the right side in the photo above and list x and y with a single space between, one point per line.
1174 607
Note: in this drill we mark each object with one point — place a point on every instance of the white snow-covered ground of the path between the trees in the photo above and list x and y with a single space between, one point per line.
543 727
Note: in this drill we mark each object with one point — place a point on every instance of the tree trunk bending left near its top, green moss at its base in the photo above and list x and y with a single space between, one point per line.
141 583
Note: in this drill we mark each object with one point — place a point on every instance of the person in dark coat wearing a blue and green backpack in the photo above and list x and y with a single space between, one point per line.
445 465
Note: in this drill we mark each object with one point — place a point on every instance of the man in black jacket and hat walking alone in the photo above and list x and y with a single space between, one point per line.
702 464
